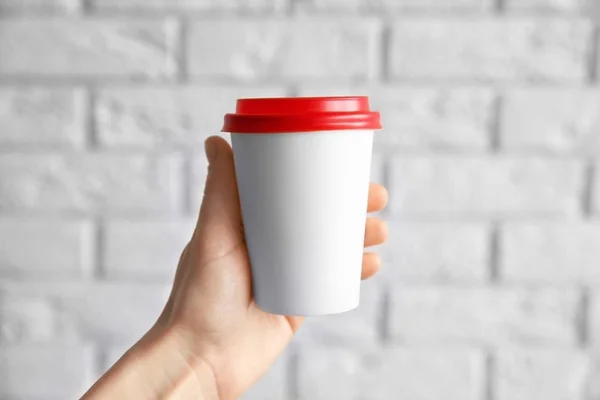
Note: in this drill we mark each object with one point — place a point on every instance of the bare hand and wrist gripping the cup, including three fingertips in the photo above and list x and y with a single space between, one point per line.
211 341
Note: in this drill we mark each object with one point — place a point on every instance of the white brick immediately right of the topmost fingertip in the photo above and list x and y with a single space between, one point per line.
440 185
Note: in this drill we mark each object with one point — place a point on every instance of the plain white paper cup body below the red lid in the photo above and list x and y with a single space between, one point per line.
304 202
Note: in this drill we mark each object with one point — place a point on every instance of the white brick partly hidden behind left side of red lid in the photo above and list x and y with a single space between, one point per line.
166 116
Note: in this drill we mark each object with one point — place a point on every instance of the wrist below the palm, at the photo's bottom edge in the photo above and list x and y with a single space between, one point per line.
161 366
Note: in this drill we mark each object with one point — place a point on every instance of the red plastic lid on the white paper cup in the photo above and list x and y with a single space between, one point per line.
301 114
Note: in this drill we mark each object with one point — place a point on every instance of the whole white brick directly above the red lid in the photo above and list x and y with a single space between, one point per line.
302 49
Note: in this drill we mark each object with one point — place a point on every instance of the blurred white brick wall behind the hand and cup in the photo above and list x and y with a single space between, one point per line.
490 151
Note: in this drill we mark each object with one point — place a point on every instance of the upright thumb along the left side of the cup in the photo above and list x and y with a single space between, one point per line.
219 227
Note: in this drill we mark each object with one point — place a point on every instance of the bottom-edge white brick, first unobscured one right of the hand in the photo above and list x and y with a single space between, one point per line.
353 374
